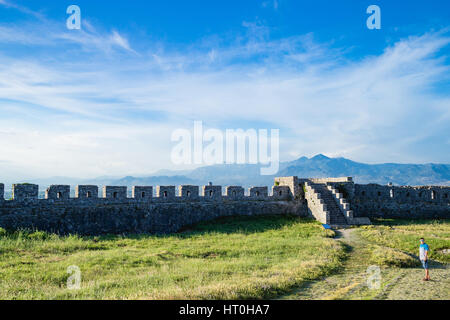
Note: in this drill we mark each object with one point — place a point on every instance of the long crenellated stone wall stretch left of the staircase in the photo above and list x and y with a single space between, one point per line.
115 213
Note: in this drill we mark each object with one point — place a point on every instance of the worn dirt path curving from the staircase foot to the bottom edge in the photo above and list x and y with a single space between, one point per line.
351 281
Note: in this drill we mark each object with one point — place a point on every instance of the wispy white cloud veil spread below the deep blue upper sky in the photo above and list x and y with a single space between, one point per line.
98 111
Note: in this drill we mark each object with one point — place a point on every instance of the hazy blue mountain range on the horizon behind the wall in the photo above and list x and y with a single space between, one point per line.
319 166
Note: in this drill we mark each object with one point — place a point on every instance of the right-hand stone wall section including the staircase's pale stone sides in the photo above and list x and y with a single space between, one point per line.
357 201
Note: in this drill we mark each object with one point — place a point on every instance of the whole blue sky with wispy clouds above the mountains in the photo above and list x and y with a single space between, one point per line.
104 100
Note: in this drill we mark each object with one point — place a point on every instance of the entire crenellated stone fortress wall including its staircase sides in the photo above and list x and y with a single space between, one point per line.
172 209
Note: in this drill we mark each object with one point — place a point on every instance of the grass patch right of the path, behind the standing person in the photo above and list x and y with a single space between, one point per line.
404 235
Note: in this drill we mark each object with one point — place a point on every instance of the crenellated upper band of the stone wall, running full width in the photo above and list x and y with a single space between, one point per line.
285 189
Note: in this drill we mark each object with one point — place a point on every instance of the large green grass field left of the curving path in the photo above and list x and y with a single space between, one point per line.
232 258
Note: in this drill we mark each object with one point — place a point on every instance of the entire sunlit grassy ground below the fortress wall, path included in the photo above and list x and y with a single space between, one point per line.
232 258
